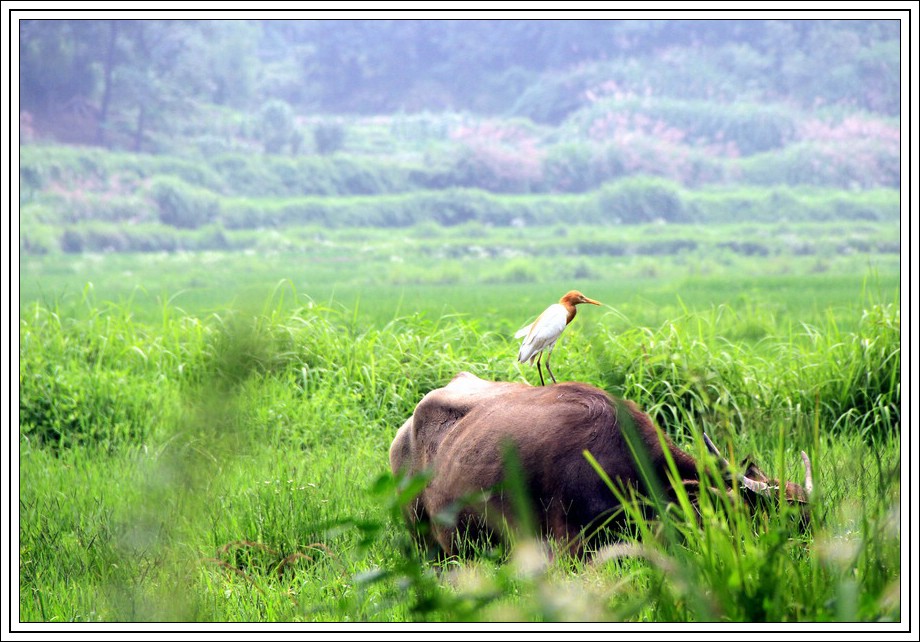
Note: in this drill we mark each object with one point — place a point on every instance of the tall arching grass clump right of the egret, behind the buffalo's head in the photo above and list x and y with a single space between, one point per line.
688 380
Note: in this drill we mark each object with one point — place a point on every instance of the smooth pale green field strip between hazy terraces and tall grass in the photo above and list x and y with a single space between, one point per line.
499 276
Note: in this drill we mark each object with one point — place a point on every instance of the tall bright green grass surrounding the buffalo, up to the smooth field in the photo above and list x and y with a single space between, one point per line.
232 467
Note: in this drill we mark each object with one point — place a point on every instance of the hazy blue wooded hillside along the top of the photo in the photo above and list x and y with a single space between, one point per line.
139 84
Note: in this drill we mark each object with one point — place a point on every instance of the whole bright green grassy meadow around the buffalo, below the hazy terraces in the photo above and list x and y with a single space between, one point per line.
203 436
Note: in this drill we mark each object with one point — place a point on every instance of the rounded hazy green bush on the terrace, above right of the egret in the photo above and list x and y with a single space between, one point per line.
641 200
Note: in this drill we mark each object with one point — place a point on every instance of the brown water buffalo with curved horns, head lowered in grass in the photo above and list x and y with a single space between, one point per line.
460 435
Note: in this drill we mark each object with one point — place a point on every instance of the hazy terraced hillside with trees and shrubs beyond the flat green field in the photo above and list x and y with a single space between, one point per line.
236 125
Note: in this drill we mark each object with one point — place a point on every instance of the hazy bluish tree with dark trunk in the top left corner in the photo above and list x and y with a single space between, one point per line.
128 77
